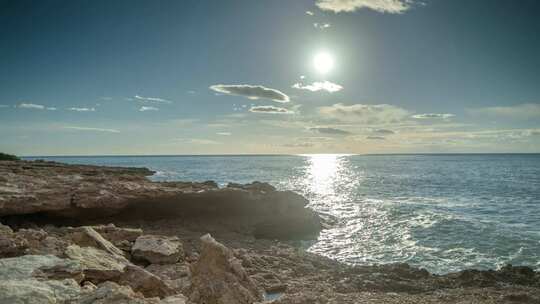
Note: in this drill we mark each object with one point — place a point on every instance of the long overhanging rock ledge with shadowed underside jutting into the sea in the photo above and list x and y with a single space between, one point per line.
75 194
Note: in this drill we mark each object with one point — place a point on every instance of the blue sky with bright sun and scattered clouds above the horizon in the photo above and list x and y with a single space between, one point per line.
269 77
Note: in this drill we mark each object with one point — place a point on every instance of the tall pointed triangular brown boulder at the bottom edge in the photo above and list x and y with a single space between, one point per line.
219 278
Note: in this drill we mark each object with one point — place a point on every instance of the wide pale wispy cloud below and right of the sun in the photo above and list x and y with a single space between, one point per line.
366 114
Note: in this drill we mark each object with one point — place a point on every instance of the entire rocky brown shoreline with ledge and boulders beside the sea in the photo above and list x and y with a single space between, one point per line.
90 234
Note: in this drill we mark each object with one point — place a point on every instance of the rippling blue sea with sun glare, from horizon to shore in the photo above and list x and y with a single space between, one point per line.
440 212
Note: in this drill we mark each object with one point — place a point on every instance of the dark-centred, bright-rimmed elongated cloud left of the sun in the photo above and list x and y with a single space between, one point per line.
251 91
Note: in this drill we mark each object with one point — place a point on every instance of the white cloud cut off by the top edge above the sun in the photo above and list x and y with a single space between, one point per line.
381 6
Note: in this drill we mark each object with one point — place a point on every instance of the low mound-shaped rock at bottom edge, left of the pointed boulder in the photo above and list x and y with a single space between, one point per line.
112 293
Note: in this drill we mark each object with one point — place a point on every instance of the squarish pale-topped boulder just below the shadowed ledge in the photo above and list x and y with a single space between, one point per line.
158 249
